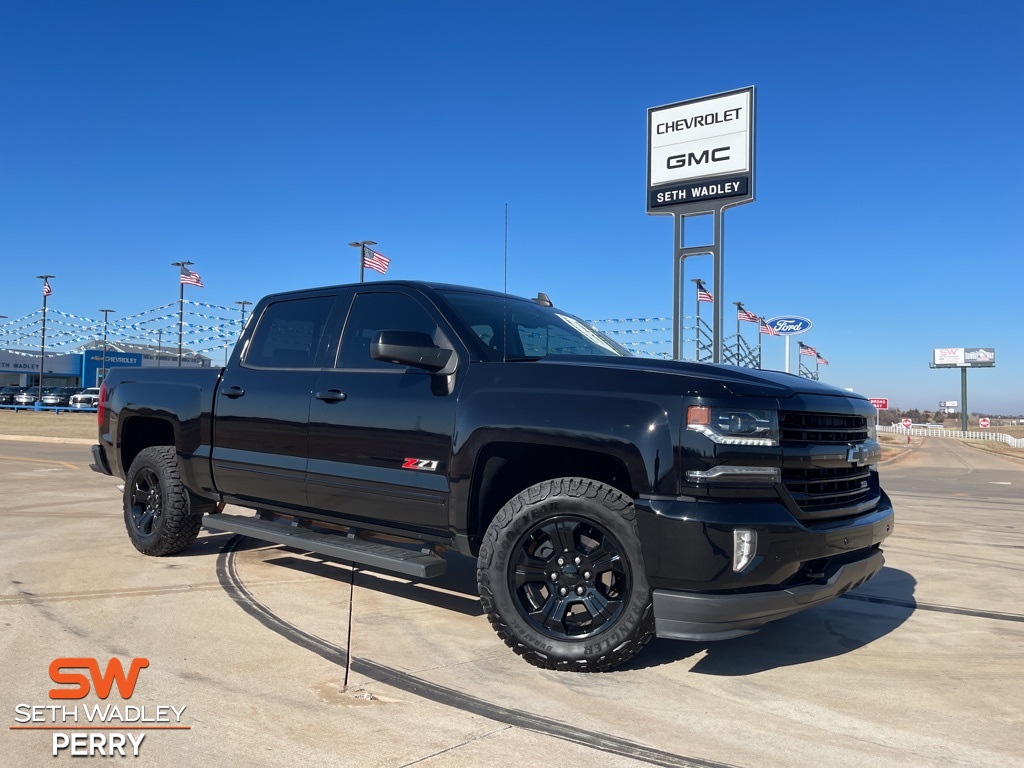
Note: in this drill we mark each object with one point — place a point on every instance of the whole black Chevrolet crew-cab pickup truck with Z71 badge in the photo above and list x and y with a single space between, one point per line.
608 498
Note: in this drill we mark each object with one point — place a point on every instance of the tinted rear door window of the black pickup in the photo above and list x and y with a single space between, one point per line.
289 333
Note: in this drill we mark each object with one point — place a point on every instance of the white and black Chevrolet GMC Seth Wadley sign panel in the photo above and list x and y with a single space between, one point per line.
701 150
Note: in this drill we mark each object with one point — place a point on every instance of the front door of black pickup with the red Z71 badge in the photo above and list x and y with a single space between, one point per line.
380 434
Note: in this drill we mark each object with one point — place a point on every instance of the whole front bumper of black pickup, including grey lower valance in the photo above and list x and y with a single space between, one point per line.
689 546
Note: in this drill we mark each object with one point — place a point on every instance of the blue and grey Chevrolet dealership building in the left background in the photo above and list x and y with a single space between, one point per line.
84 367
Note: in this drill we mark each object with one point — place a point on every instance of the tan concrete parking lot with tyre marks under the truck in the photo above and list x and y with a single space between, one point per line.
272 656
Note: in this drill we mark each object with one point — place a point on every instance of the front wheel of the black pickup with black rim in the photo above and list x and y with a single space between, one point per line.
562 577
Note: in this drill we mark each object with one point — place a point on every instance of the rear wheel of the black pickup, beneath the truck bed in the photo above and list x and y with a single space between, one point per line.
161 516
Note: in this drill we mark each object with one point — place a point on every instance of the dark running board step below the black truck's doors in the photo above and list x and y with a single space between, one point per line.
419 564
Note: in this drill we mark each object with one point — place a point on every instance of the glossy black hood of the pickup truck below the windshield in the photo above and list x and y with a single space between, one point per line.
743 382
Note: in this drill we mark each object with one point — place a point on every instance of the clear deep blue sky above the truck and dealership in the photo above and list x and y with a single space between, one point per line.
259 139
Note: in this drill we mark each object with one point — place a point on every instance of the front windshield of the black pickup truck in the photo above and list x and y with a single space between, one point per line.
534 331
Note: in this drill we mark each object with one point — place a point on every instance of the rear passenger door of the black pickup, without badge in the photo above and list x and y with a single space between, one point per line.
262 418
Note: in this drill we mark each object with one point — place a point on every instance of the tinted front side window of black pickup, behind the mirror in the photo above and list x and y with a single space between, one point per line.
373 313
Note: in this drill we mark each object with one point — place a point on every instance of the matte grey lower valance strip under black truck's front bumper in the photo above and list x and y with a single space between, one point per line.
689 616
